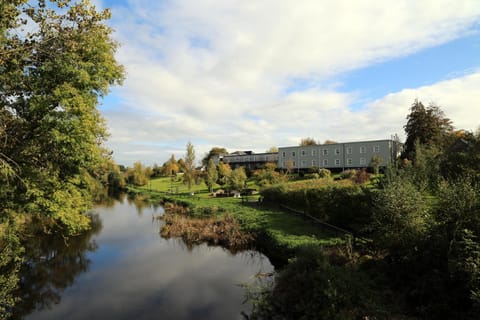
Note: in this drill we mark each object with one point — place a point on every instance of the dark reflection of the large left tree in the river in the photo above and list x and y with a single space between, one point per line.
51 264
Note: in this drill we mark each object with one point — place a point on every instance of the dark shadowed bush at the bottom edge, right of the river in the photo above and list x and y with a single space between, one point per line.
312 287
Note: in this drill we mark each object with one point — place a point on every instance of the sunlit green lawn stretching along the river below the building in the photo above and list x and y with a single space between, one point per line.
286 229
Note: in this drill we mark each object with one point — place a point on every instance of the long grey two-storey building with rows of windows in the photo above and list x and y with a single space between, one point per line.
339 156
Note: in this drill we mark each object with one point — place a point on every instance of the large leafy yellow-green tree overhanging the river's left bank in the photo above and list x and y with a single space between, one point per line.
56 61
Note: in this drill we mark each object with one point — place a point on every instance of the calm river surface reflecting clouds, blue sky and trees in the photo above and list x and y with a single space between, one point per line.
123 269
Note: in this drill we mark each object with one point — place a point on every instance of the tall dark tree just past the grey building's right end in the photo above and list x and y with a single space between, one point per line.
428 126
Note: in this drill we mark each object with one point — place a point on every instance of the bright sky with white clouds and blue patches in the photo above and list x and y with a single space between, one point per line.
251 74
